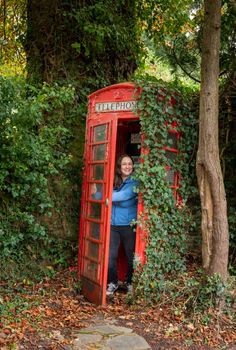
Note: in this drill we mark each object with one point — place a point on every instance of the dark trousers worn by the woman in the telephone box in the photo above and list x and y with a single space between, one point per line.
127 236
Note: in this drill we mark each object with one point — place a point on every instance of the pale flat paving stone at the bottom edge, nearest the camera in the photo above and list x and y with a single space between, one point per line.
128 342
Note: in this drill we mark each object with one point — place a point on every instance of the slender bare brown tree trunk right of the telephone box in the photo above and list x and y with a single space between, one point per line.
215 237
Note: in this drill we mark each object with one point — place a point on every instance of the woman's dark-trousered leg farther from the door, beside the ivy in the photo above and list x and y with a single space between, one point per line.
128 236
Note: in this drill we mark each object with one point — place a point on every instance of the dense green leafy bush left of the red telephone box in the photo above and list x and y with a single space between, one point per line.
36 132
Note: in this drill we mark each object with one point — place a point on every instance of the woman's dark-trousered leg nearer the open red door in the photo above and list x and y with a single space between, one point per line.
113 254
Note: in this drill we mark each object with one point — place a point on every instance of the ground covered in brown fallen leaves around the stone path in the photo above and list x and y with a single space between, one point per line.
47 315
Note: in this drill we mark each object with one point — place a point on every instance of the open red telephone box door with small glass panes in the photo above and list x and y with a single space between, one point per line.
96 207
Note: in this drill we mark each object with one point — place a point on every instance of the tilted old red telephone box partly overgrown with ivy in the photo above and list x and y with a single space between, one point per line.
112 129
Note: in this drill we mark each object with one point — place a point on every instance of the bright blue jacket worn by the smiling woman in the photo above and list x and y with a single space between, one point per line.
124 203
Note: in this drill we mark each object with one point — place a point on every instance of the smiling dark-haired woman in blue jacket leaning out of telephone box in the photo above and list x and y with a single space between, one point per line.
124 211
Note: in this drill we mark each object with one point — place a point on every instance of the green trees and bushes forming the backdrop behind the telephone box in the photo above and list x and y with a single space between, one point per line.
53 54
